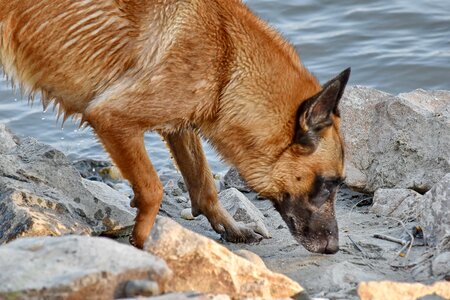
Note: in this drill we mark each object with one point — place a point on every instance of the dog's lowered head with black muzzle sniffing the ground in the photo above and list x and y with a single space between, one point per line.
309 171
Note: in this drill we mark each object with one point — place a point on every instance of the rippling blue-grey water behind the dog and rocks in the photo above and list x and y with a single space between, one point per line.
395 46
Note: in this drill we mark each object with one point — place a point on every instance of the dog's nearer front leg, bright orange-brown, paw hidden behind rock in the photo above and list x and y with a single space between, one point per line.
125 144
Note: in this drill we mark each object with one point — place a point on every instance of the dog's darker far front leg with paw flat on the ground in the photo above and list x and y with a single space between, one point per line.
187 151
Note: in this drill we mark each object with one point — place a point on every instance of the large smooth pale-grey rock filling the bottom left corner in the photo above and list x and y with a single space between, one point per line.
74 267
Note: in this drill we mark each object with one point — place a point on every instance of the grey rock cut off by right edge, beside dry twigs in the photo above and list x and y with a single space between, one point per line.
434 214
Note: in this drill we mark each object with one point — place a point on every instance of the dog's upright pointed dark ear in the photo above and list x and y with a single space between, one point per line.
314 114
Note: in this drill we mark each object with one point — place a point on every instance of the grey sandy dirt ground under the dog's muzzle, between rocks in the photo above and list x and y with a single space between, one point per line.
361 257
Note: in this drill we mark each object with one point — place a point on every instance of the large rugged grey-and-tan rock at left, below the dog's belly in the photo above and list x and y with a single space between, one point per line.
41 193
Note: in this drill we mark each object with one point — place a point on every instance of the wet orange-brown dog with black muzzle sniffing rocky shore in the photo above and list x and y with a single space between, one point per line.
188 68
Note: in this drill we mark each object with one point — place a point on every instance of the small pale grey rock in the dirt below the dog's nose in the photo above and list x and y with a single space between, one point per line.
346 276
